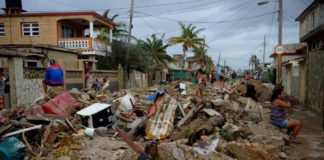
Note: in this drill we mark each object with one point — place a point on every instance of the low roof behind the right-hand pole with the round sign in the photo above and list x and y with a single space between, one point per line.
292 49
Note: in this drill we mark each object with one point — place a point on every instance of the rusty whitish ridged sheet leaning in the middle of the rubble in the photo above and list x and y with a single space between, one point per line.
160 125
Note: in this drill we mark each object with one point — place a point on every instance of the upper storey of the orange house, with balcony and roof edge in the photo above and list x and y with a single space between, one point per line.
70 30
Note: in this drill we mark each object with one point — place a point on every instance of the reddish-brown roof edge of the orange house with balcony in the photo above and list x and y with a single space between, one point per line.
36 14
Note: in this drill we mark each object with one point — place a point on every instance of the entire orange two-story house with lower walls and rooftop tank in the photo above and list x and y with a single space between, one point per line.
28 40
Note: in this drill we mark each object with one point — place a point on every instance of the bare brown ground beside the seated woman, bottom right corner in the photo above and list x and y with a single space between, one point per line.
311 134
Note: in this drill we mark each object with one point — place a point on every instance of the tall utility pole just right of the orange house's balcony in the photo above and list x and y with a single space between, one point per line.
130 26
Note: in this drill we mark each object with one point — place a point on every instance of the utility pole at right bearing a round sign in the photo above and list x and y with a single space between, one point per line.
279 40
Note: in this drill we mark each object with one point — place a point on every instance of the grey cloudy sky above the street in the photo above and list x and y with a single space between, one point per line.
233 28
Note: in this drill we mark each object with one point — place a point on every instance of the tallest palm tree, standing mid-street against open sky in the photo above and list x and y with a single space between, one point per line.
188 39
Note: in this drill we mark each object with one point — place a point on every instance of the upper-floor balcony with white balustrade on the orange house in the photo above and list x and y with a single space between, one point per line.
80 34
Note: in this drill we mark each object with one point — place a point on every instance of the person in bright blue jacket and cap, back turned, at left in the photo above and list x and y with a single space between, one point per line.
54 76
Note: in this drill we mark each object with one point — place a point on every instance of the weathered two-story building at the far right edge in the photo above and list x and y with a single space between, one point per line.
311 31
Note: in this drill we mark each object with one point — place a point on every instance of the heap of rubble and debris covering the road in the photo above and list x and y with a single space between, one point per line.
158 122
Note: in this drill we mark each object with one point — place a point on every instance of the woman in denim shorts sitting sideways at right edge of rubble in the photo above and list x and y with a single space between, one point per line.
278 115
